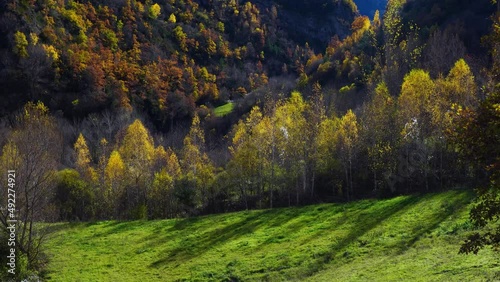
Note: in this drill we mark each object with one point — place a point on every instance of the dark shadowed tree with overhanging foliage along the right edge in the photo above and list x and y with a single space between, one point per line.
477 136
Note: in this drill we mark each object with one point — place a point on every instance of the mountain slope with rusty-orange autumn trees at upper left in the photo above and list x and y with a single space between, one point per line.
165 59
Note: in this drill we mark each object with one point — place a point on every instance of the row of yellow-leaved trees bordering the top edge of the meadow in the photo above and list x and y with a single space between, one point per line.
291 152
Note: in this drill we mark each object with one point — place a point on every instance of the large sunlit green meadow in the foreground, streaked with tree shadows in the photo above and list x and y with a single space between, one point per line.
412 238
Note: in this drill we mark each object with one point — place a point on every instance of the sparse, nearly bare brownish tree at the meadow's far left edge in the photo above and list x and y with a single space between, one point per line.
33 152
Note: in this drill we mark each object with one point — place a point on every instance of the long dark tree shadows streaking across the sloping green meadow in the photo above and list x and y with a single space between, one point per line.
195 236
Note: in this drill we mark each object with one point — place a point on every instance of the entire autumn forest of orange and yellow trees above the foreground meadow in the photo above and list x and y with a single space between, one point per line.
144 110
